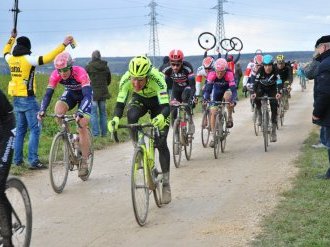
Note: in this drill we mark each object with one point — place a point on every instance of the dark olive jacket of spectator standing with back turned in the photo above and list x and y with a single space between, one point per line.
100 76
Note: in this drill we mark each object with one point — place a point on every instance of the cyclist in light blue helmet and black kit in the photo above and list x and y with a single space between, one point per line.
268 82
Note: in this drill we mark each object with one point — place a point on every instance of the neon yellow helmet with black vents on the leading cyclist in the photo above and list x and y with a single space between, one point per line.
139 66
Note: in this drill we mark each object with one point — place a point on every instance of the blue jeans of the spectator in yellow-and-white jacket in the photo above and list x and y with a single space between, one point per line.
26 109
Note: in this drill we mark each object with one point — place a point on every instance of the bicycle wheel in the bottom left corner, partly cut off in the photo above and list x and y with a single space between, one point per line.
22 212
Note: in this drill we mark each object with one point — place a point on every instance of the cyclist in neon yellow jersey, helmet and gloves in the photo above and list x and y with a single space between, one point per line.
149 94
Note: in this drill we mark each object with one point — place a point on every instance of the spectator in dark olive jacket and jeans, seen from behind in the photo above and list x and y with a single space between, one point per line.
100 76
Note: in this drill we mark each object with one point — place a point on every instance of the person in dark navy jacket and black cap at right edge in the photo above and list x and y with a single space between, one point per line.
321 112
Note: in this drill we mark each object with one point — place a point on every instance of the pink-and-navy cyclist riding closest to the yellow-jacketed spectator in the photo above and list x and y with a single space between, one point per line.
78 91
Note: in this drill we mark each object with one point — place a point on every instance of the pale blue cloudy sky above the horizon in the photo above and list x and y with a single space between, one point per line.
119 28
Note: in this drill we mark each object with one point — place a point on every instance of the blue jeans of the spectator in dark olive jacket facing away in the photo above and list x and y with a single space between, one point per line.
99 106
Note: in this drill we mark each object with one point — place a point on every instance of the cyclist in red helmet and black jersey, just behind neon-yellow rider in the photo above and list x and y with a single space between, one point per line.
184 86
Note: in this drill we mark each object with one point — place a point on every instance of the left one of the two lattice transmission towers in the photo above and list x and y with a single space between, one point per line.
153 40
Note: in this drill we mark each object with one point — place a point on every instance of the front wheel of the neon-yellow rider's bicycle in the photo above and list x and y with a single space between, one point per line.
139 188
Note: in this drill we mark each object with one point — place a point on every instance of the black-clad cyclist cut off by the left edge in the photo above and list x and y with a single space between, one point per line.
7 137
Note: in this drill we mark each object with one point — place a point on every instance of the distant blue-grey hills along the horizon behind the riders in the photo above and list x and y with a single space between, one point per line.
118 65
